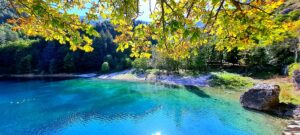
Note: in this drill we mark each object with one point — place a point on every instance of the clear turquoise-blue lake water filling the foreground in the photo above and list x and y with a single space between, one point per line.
92 106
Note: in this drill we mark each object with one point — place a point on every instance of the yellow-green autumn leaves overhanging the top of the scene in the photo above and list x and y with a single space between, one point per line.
178 27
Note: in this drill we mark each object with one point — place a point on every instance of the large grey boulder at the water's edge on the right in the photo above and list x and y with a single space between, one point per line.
263 97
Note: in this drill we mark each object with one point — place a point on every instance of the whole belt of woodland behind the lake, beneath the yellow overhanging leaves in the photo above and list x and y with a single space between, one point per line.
21 54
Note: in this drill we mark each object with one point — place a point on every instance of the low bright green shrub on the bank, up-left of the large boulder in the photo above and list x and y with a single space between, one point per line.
230 80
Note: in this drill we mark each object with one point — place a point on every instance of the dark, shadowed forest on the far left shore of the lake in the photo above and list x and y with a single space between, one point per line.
21 54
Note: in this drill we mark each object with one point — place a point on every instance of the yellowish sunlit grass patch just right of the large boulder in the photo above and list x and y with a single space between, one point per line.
288 94
